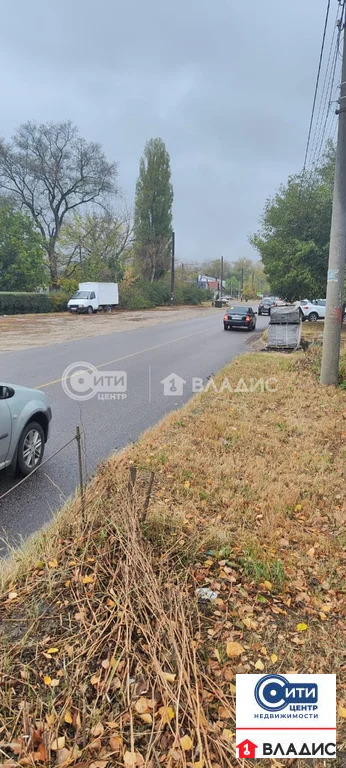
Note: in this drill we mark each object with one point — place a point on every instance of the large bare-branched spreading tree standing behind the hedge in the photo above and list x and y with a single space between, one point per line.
50 170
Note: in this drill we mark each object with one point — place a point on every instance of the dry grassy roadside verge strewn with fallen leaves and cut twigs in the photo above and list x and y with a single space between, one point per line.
107 656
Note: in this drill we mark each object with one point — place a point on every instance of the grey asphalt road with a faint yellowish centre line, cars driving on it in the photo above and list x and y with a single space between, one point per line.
190 349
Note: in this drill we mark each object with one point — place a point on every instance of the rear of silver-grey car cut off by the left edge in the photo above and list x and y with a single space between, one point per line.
24 427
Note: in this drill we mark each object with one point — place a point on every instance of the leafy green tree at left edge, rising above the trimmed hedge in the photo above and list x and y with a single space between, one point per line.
22 252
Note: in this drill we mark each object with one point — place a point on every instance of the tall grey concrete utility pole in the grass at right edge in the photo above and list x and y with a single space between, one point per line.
337 251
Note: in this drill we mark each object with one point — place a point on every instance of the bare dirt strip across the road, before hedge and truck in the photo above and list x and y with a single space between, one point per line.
25 331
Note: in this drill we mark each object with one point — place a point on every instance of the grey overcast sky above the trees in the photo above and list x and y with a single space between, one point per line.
227 84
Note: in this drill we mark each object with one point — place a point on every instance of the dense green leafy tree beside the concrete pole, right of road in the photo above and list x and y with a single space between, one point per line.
294 237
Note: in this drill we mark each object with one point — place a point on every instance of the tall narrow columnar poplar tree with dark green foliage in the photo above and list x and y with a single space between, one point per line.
153 211
